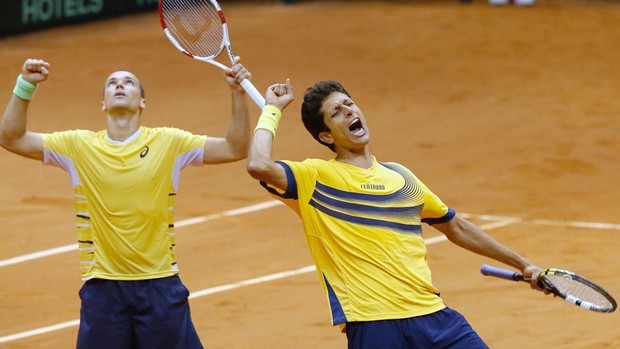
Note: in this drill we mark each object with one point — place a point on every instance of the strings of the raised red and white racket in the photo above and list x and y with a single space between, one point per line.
195 25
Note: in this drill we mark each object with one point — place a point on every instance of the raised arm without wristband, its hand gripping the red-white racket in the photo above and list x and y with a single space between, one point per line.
234 145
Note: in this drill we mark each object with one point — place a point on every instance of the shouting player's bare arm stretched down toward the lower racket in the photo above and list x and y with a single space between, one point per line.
469 236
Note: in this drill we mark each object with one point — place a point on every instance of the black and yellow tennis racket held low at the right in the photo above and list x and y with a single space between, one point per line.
566 284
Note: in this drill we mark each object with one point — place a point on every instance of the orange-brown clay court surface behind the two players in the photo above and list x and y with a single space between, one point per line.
511 115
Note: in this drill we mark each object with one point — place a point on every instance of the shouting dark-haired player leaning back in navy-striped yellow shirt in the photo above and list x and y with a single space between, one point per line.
363 223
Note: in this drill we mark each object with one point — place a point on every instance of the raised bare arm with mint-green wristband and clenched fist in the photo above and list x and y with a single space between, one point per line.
14 134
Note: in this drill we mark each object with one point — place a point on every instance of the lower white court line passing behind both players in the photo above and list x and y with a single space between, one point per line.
201 293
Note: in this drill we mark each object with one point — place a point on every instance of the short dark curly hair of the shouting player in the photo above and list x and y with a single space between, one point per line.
311 114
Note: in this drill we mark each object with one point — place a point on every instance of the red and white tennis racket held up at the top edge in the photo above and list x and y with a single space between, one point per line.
198 29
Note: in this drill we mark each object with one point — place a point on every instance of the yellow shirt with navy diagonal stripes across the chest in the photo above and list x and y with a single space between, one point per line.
363 227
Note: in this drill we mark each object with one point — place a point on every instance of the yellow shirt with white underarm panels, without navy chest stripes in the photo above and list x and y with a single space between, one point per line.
124 197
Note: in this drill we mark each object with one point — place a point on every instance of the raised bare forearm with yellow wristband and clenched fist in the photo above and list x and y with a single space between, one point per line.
260 162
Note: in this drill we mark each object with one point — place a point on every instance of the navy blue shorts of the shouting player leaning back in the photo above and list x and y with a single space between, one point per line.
441 330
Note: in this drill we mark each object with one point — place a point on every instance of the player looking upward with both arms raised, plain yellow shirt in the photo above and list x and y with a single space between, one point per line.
132 296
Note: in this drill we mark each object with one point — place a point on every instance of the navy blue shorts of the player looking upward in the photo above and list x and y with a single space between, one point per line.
136 314
